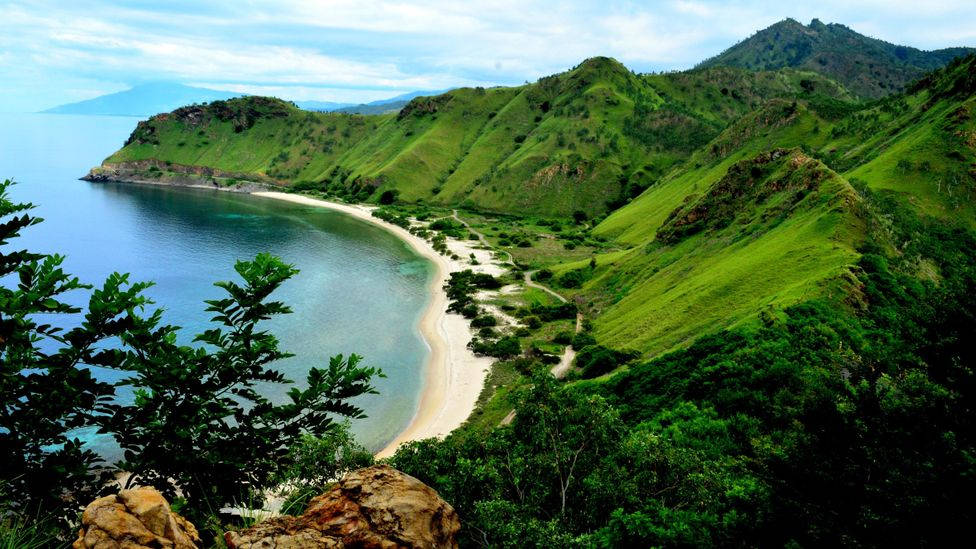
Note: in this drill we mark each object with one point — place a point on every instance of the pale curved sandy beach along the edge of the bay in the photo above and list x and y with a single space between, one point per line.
454 376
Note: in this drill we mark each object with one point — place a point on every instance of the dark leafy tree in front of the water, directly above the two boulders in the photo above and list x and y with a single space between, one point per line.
199 426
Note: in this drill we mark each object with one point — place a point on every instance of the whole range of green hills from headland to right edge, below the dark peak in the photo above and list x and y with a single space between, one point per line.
727 194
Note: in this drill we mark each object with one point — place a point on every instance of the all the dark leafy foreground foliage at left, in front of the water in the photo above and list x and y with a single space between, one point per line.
196 425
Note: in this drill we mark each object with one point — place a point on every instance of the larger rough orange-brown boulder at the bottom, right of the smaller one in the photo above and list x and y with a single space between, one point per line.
376 507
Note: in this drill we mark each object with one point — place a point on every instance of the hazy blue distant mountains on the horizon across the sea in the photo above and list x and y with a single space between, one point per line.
148 99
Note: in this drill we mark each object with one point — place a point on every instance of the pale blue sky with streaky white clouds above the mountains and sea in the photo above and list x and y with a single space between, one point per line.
358 51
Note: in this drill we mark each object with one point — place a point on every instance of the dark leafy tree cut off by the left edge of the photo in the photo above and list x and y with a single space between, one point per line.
48 393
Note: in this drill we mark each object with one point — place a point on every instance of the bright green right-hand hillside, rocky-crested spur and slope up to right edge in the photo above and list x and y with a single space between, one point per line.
766 215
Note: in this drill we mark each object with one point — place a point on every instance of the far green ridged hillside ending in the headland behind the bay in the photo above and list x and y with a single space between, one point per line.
588 139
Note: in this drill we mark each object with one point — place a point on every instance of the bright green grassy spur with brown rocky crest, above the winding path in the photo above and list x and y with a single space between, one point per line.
767 232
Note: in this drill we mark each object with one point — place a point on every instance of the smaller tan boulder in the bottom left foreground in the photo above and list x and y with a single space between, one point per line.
135 519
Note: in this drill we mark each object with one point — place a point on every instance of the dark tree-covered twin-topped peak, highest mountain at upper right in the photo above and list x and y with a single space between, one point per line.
868 67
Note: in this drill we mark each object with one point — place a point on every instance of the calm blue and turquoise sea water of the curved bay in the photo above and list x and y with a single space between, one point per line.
361 290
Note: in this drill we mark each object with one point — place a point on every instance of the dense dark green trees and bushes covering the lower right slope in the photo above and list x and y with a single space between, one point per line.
823 426
